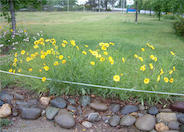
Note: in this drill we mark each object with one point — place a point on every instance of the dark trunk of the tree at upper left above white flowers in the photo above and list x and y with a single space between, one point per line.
12 12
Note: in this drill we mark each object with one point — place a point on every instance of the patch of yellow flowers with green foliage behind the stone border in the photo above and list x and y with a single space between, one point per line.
105 65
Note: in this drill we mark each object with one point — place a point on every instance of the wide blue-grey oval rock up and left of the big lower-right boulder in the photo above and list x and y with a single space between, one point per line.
129 109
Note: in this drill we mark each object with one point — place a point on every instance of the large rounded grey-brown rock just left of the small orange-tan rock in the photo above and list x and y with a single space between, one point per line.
145 123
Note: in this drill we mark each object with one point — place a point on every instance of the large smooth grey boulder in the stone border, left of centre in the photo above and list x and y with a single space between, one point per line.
65 120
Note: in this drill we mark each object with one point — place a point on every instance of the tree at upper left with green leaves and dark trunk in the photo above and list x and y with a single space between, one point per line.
9 8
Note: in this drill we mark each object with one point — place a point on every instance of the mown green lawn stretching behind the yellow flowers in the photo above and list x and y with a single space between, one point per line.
91 28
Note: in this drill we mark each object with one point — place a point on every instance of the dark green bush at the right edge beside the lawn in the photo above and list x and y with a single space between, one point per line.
179 26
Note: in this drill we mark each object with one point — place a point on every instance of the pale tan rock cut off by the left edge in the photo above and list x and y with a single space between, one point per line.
5 110
